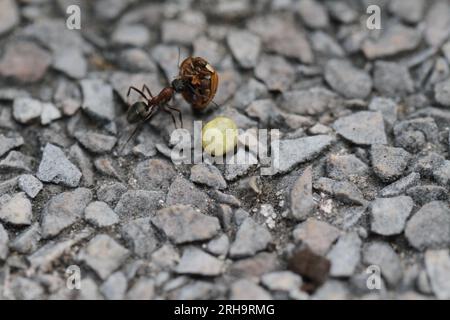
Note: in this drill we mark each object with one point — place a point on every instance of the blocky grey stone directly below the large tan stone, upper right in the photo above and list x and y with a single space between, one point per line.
392 79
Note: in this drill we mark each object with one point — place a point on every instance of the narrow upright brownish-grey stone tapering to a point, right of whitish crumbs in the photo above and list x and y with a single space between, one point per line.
302 202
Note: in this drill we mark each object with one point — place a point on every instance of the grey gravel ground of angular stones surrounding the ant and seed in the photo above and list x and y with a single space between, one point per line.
363 179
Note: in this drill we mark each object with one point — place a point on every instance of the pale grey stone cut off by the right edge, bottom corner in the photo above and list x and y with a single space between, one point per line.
437 263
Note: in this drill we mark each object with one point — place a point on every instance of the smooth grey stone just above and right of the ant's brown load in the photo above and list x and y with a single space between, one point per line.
245 47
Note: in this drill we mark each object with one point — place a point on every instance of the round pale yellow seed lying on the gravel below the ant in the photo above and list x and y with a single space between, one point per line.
219 136
